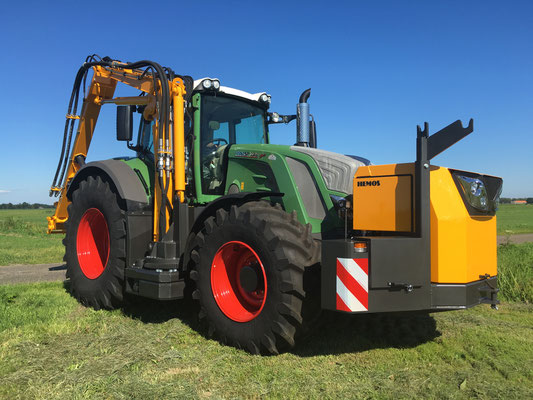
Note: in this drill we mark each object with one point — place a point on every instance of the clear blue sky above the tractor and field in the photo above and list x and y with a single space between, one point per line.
376 69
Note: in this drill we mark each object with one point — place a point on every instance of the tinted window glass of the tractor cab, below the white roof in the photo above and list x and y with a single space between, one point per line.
226 121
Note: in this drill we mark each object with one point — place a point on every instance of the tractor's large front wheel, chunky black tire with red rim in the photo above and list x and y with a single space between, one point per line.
285 250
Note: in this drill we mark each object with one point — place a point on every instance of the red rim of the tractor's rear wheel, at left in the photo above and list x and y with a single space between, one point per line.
92 243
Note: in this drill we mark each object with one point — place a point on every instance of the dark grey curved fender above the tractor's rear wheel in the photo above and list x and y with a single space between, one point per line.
123 180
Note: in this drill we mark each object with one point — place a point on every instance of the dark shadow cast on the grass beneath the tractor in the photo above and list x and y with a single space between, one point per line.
336 333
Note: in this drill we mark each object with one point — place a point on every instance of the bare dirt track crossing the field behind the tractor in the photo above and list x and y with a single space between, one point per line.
56 272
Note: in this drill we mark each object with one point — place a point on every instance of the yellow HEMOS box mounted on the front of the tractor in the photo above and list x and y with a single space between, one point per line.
463 246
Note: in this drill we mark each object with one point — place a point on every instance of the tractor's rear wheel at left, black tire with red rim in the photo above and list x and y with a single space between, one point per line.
91 286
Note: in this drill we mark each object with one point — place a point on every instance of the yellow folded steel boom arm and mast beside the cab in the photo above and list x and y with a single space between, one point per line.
102 89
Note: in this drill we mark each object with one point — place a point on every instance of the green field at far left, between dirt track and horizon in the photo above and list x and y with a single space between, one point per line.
23 238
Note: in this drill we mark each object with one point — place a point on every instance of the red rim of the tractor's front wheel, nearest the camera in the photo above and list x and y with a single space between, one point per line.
232 298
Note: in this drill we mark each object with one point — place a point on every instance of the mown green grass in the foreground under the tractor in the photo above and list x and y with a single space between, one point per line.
53 348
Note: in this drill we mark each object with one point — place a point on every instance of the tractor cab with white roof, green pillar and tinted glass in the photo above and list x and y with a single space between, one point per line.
221 117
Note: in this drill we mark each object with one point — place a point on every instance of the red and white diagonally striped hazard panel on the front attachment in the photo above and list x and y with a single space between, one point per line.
352 284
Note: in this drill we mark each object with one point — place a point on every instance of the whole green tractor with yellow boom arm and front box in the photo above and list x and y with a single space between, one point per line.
264 236
